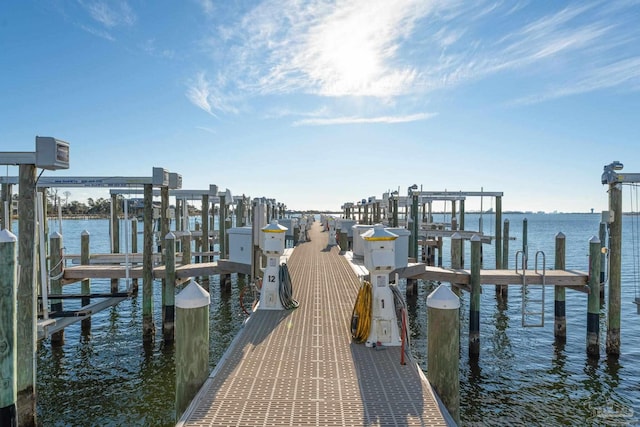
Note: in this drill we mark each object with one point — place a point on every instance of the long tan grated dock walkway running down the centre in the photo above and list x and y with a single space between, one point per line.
301 368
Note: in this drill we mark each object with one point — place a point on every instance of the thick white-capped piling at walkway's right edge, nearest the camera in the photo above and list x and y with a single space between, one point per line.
443 347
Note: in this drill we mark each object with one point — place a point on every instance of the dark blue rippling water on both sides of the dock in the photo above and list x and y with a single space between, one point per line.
521 378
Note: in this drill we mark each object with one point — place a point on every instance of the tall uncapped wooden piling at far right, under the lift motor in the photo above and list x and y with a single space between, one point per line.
615 269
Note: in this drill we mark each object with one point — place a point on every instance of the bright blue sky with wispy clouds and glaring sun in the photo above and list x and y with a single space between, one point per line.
317 103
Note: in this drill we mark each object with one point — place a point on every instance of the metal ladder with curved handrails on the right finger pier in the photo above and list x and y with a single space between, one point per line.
532 295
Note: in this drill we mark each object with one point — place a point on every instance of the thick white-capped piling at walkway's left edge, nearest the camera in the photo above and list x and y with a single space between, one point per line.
192 343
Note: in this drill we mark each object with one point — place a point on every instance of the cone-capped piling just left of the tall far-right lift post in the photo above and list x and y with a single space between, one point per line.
593 312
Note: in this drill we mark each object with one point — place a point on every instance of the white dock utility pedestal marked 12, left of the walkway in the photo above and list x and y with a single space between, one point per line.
273 236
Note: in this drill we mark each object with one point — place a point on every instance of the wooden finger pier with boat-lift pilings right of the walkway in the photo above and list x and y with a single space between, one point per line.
531 277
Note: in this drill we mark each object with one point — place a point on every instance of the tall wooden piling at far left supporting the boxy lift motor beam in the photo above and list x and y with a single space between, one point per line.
27 332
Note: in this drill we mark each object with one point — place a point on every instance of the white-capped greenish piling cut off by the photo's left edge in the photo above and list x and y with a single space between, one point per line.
8 329
